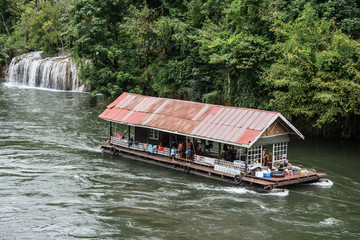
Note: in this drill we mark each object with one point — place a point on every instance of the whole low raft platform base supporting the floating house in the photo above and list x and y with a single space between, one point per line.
189 166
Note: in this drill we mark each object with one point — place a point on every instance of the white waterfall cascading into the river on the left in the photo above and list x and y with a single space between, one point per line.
32 69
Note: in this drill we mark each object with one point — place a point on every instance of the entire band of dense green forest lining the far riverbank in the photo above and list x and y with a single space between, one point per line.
301 57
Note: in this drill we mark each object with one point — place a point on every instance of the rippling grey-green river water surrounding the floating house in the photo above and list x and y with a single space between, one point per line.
55 183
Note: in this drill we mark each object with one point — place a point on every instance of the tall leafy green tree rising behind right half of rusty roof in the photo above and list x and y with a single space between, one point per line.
238 51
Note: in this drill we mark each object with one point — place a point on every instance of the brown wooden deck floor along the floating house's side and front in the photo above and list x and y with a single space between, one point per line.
267 183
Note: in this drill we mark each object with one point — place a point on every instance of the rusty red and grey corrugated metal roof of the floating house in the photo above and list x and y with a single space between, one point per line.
232 125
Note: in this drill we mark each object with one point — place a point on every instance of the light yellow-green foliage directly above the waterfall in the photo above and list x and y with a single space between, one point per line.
35 25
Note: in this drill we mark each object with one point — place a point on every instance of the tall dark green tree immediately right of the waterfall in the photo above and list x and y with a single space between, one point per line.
103 48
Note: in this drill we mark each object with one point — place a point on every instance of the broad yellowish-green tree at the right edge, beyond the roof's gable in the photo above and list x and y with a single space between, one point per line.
317 76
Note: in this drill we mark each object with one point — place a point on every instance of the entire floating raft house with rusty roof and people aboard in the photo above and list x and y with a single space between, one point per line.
231 144
